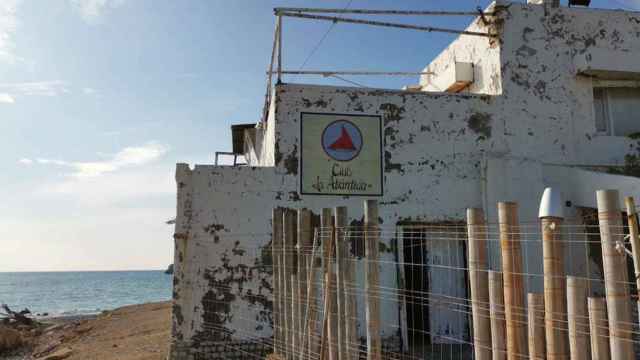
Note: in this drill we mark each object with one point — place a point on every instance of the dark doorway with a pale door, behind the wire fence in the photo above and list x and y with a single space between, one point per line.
434 279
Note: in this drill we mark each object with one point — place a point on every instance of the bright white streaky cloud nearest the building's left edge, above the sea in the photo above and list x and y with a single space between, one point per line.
128 157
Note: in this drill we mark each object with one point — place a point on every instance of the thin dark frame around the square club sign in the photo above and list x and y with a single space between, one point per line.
380 155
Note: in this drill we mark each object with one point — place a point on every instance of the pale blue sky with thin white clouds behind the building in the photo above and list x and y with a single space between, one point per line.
100 98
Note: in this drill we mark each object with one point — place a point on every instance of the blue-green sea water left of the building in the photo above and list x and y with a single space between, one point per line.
80 293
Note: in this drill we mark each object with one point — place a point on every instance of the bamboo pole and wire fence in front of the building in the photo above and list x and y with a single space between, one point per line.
344 291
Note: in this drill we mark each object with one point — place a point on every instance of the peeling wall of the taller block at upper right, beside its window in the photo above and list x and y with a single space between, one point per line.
544 98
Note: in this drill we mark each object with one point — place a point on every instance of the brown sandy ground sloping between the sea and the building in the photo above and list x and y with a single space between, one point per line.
137 332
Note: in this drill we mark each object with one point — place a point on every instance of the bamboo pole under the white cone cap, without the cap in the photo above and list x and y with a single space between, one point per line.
555 298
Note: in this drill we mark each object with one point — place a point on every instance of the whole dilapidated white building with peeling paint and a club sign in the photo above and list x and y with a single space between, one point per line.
548 96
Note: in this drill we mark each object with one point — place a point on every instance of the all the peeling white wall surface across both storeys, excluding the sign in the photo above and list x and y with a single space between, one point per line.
442 154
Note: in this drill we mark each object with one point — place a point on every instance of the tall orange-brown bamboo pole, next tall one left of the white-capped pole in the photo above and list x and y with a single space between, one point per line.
513 284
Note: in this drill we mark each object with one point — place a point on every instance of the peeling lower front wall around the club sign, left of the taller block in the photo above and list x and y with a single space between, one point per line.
433 145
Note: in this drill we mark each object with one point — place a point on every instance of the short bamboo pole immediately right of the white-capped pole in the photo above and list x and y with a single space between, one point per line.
578 318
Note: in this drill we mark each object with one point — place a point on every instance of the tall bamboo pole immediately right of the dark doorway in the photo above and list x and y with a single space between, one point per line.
477 234
